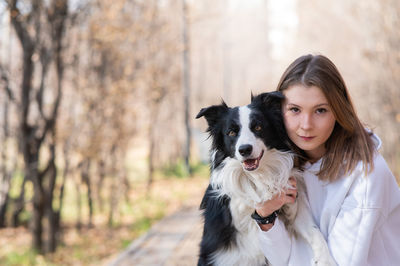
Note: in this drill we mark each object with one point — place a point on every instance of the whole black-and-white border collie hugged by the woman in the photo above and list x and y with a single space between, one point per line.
250 163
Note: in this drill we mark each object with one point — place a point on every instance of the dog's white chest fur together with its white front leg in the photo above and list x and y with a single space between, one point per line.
248 189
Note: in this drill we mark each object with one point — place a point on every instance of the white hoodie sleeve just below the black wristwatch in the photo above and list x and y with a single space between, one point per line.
276 244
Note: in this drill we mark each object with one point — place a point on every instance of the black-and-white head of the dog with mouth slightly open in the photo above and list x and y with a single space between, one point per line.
247 132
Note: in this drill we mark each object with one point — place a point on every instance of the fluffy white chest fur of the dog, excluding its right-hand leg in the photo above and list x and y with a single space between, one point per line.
246 190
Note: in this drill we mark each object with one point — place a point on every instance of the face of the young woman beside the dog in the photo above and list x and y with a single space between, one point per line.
309 119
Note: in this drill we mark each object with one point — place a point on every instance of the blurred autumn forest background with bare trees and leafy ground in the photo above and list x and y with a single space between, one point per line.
97 103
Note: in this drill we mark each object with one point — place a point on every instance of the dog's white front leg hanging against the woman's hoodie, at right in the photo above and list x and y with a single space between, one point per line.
304 225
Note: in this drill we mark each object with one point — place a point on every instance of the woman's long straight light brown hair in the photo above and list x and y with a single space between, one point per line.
349 142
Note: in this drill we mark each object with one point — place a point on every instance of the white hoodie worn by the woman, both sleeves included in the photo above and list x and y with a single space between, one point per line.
359 215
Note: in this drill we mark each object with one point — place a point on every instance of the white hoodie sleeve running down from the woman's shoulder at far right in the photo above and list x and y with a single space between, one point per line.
364 210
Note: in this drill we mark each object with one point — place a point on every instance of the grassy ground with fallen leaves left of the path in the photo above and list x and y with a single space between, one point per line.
99 244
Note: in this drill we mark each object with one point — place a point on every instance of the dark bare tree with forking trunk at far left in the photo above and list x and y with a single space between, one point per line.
30 28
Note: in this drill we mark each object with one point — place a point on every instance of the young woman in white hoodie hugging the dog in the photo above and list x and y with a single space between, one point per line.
353 196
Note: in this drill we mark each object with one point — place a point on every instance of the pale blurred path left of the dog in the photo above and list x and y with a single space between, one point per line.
172 241
